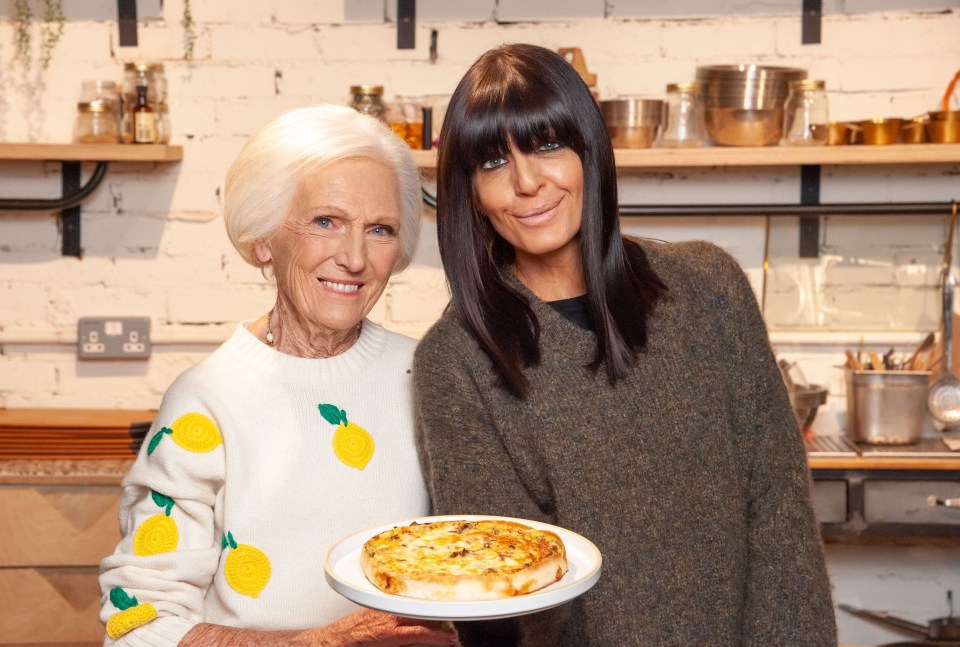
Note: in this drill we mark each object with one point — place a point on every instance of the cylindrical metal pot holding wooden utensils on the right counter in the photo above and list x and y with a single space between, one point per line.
886 407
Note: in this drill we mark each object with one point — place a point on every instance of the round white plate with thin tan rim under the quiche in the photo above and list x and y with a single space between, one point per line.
343 573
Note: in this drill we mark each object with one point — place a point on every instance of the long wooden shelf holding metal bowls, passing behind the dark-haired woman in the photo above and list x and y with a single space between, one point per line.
730 156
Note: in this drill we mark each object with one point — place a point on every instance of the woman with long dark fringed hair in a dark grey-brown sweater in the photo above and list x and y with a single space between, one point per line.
623 389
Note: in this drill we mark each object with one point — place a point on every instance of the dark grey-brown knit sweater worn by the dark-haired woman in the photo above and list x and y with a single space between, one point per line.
689 475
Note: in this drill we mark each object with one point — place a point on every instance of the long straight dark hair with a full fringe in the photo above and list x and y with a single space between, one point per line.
528 96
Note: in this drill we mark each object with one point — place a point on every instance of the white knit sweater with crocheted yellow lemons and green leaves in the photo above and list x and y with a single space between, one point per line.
275 483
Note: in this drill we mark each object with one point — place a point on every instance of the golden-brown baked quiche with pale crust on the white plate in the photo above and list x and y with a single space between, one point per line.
463 560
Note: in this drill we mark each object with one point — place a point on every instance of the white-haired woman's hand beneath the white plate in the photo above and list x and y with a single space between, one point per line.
375 629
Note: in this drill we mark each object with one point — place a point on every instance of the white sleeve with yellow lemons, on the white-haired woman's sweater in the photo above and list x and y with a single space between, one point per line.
153 585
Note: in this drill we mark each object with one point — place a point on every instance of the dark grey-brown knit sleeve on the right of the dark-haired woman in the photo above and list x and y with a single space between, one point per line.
788 600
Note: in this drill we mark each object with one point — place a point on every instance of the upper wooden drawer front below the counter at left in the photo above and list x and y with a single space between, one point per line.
58 526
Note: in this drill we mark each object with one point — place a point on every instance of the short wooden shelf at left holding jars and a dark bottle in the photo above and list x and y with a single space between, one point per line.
92 152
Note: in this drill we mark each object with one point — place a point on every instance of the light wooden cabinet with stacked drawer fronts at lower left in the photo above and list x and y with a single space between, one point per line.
53 533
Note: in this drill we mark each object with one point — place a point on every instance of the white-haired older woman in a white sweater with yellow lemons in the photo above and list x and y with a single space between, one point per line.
295 432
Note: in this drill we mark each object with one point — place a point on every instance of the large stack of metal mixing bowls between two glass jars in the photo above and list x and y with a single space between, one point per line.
743 104
